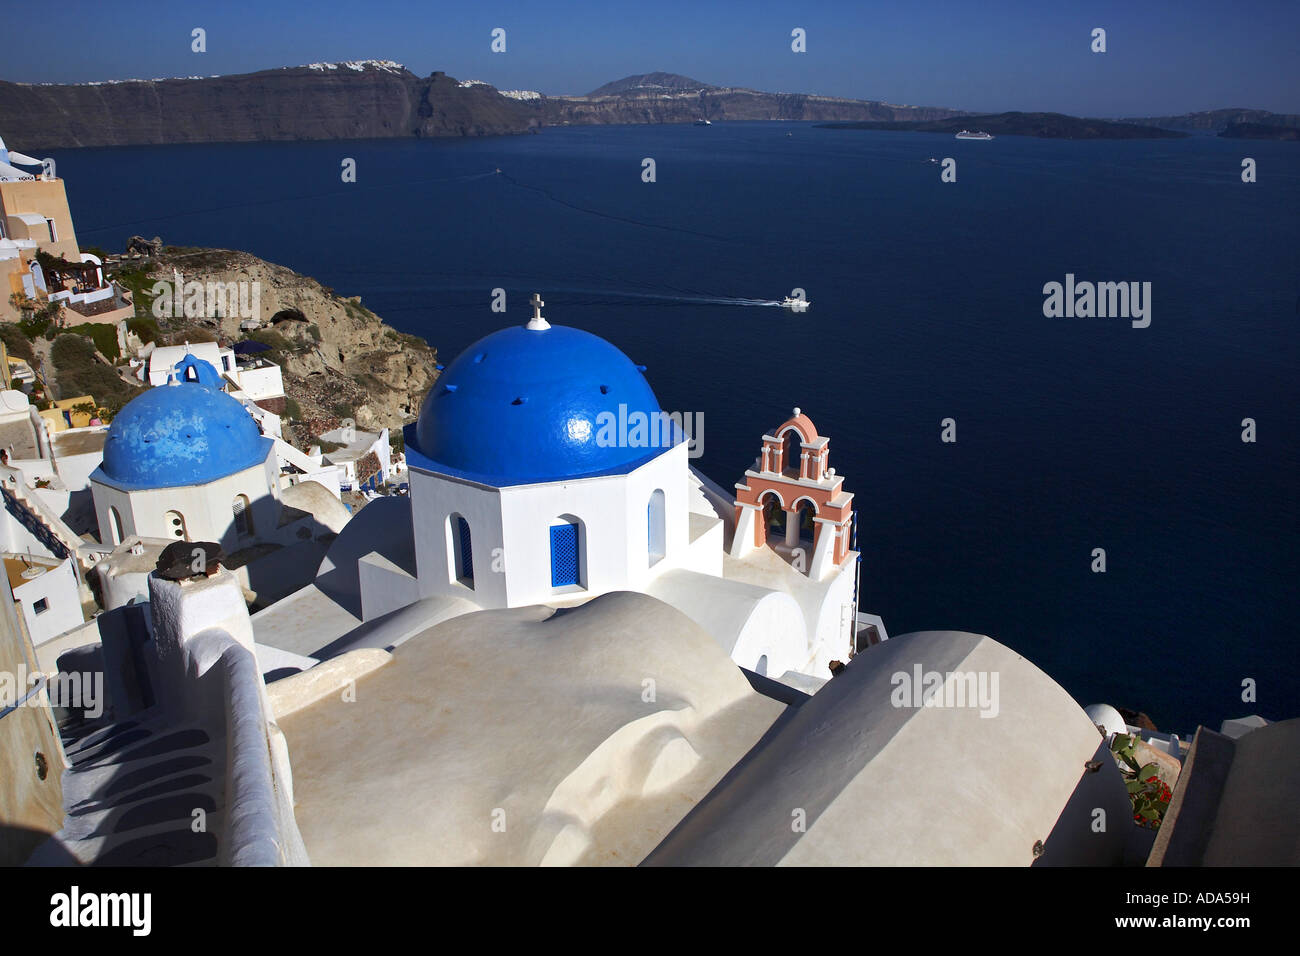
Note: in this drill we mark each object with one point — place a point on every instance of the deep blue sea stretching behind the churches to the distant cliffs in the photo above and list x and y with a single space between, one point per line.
928 304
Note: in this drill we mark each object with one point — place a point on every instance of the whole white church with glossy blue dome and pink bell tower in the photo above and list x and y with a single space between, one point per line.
544 473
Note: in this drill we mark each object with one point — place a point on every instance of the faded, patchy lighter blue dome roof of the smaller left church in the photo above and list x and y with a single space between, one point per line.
181 435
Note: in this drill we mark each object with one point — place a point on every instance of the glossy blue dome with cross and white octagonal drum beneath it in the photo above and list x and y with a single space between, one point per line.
543 468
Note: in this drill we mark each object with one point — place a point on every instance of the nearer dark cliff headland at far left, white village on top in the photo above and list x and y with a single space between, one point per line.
369 100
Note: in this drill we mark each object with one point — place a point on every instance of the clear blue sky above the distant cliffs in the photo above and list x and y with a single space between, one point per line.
1163 58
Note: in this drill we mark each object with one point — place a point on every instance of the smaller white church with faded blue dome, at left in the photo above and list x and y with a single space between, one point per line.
185 461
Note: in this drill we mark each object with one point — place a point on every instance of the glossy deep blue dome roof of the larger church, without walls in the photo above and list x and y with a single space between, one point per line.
527 405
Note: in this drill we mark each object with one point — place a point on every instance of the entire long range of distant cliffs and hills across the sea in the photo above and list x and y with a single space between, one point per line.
379 100
